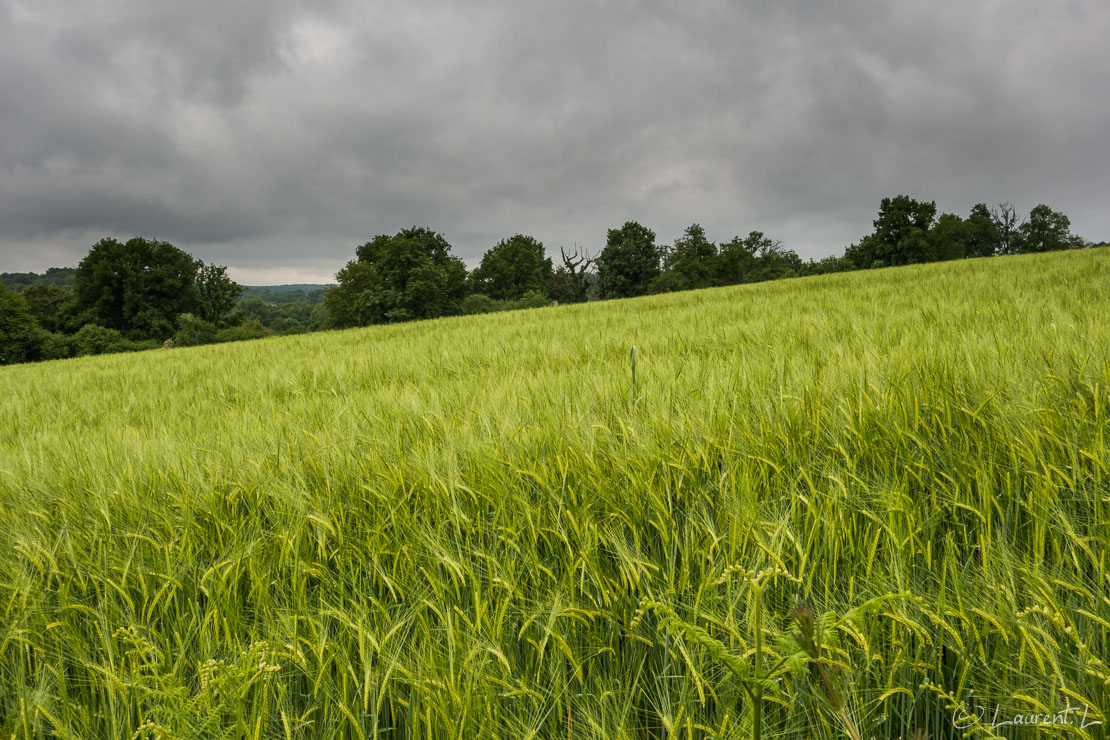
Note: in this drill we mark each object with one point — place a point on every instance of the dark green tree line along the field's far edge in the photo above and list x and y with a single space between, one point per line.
146 293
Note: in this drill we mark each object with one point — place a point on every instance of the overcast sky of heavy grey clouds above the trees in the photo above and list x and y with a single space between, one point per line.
275 137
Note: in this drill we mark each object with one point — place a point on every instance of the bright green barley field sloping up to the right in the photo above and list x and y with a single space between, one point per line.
867 505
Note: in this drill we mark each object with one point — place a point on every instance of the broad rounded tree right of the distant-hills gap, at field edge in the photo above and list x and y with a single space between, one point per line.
409 276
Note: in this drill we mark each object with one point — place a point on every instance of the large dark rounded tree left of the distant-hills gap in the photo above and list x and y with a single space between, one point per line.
138 288
